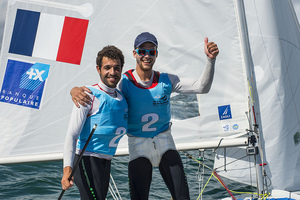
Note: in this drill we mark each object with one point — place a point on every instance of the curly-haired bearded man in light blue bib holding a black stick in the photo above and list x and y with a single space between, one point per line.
109 111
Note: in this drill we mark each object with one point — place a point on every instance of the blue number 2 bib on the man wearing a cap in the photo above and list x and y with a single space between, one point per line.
149 108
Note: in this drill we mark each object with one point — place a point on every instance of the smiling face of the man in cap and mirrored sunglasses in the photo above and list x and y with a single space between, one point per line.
145 63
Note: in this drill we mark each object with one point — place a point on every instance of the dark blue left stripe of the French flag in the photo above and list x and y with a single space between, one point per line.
24 32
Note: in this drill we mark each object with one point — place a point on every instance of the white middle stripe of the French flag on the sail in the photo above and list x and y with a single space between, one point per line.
48 36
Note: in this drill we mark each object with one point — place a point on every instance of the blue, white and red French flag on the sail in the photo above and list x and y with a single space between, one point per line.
48 36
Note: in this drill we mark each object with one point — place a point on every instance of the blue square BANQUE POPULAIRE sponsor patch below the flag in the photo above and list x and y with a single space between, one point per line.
24 83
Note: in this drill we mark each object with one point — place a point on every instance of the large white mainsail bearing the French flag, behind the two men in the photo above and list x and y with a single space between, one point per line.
181 34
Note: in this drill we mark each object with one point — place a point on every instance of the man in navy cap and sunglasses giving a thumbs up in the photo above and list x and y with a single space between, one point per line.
149 128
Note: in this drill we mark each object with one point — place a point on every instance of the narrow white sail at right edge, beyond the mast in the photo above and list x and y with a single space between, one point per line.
279 60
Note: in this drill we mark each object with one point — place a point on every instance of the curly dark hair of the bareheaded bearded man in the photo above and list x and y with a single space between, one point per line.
110 52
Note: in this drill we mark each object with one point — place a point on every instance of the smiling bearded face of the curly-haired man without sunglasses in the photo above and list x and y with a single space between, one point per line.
110 71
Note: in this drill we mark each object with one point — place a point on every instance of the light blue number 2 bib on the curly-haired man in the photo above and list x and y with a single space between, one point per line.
111 120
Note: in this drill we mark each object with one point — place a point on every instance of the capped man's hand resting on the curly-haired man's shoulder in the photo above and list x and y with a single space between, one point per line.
80 97
